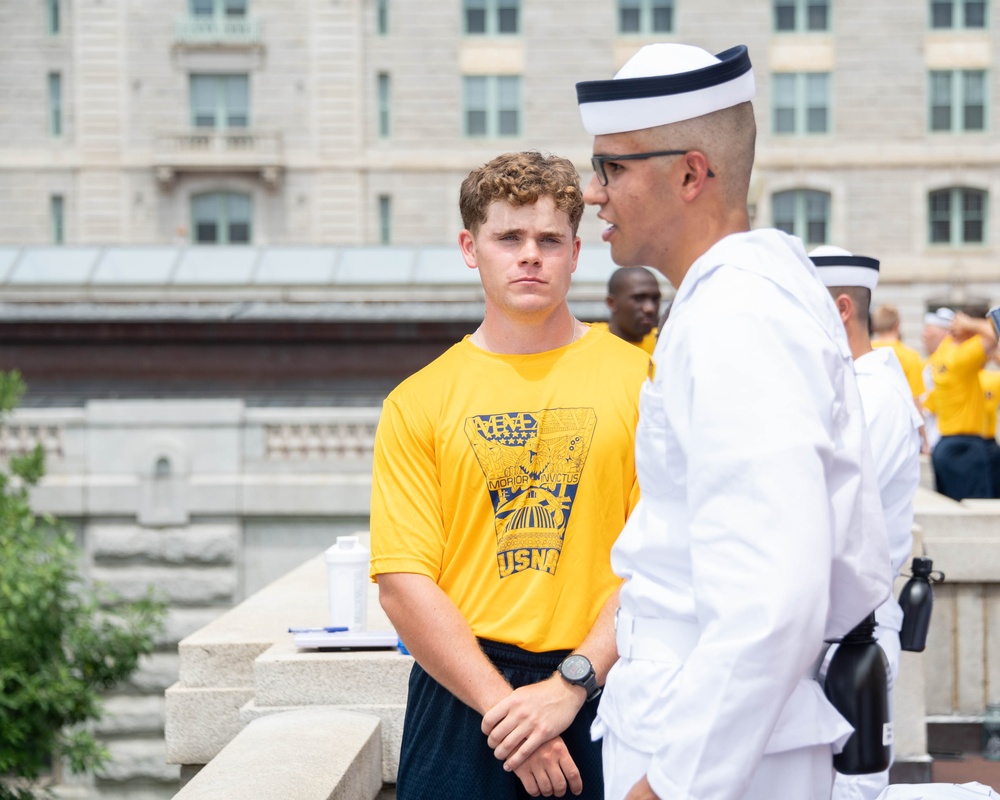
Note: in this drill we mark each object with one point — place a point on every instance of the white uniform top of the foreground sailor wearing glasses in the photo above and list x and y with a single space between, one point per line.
759 532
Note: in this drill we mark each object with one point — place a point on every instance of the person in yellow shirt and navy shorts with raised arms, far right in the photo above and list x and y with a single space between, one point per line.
961 458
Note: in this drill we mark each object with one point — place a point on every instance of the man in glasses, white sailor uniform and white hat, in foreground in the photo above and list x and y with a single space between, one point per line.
759 531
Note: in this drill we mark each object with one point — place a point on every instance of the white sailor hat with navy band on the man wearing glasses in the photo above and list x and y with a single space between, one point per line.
666 83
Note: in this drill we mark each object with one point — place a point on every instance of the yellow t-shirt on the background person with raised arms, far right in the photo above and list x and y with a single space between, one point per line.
957 397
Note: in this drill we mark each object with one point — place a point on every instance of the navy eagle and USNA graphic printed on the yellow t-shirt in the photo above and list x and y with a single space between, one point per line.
532 462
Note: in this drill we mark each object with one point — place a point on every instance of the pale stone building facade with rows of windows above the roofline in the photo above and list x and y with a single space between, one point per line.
279 122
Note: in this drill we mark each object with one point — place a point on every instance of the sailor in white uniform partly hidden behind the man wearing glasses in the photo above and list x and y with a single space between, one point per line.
894 431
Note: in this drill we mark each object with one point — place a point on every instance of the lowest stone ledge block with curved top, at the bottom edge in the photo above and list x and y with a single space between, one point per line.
311 754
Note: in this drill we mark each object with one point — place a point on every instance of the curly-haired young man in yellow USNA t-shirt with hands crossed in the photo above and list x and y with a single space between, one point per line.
503 473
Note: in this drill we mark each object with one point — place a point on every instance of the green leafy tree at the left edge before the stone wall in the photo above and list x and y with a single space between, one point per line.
62 642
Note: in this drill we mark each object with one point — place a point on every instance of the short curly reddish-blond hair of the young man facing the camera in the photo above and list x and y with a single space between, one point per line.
521 179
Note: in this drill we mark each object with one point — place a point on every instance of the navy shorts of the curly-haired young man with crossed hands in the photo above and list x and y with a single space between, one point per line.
444 754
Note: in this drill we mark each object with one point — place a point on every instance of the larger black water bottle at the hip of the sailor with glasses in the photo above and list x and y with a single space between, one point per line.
857 684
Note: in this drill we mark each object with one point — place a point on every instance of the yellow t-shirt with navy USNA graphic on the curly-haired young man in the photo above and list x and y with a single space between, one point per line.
506 479
